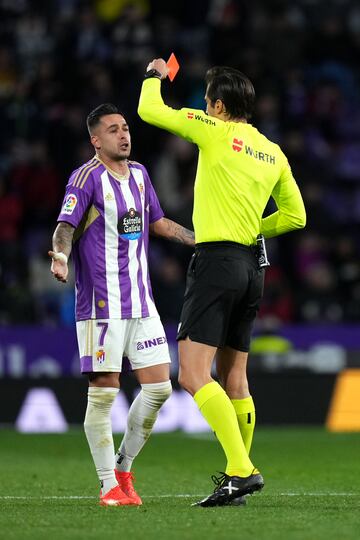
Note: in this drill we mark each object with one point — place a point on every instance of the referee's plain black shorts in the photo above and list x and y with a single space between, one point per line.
224 287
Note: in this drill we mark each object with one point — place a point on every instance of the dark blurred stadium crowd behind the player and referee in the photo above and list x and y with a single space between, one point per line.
61 58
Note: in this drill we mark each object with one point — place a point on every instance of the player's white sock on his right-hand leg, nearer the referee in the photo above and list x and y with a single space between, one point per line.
141 418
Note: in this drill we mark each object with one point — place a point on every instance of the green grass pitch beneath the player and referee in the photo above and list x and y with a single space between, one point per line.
48 489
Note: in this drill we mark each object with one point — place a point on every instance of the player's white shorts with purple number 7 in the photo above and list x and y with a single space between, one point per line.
104 342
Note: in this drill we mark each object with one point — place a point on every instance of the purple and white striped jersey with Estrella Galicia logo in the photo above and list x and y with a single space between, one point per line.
110 251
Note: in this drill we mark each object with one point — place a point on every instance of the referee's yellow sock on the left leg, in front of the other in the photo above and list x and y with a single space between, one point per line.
219 413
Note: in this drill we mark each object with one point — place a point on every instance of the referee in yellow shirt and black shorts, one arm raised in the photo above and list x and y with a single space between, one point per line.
238 170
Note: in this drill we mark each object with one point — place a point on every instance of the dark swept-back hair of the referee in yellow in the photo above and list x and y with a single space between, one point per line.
233 88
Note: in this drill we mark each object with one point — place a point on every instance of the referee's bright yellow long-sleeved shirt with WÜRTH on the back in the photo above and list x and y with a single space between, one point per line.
238 170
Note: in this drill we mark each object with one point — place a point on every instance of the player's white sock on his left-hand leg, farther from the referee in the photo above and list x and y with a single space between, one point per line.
98 432
